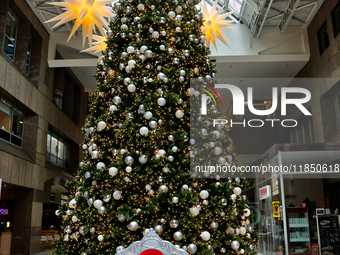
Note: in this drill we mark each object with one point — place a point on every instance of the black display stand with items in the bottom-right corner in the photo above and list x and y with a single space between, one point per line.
328 234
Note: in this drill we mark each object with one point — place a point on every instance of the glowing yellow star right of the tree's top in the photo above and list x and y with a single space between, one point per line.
213 22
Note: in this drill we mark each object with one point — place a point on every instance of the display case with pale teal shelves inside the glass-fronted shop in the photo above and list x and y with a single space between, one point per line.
298 230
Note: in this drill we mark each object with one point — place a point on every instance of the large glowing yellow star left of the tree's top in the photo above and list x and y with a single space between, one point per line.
88 13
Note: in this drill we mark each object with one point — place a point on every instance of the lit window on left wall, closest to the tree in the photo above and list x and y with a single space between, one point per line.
58 149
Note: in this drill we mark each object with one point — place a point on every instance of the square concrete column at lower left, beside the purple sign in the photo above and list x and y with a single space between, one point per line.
27 218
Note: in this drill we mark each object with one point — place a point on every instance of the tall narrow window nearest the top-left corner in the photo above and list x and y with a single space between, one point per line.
10 34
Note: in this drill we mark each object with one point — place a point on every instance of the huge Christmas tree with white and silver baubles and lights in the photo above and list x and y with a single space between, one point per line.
136 170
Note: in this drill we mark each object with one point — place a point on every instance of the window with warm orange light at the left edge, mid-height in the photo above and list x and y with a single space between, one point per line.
11 123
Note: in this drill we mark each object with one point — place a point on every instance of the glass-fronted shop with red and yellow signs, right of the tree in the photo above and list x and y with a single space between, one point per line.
298 208
